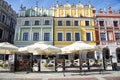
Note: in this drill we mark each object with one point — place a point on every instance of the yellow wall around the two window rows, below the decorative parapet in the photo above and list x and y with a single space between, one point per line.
82 29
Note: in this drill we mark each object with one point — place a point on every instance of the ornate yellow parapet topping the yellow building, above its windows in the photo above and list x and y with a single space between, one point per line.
74 11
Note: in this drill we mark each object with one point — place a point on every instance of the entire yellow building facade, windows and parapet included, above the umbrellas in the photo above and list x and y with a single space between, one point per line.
73 23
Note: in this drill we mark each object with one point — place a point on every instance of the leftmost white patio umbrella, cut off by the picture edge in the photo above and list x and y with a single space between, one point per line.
7 48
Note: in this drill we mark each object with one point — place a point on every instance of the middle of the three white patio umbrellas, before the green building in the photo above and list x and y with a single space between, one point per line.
40 48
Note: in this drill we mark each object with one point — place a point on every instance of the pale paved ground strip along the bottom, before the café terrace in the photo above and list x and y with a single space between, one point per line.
106 75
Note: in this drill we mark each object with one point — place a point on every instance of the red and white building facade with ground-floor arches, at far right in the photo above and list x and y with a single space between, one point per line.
107 29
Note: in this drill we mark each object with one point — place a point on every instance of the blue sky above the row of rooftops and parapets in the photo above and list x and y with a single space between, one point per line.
98 4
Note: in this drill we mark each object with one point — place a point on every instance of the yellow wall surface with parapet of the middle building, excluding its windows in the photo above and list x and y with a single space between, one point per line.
74 11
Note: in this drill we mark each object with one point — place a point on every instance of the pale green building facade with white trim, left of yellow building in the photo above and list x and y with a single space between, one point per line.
33 26
